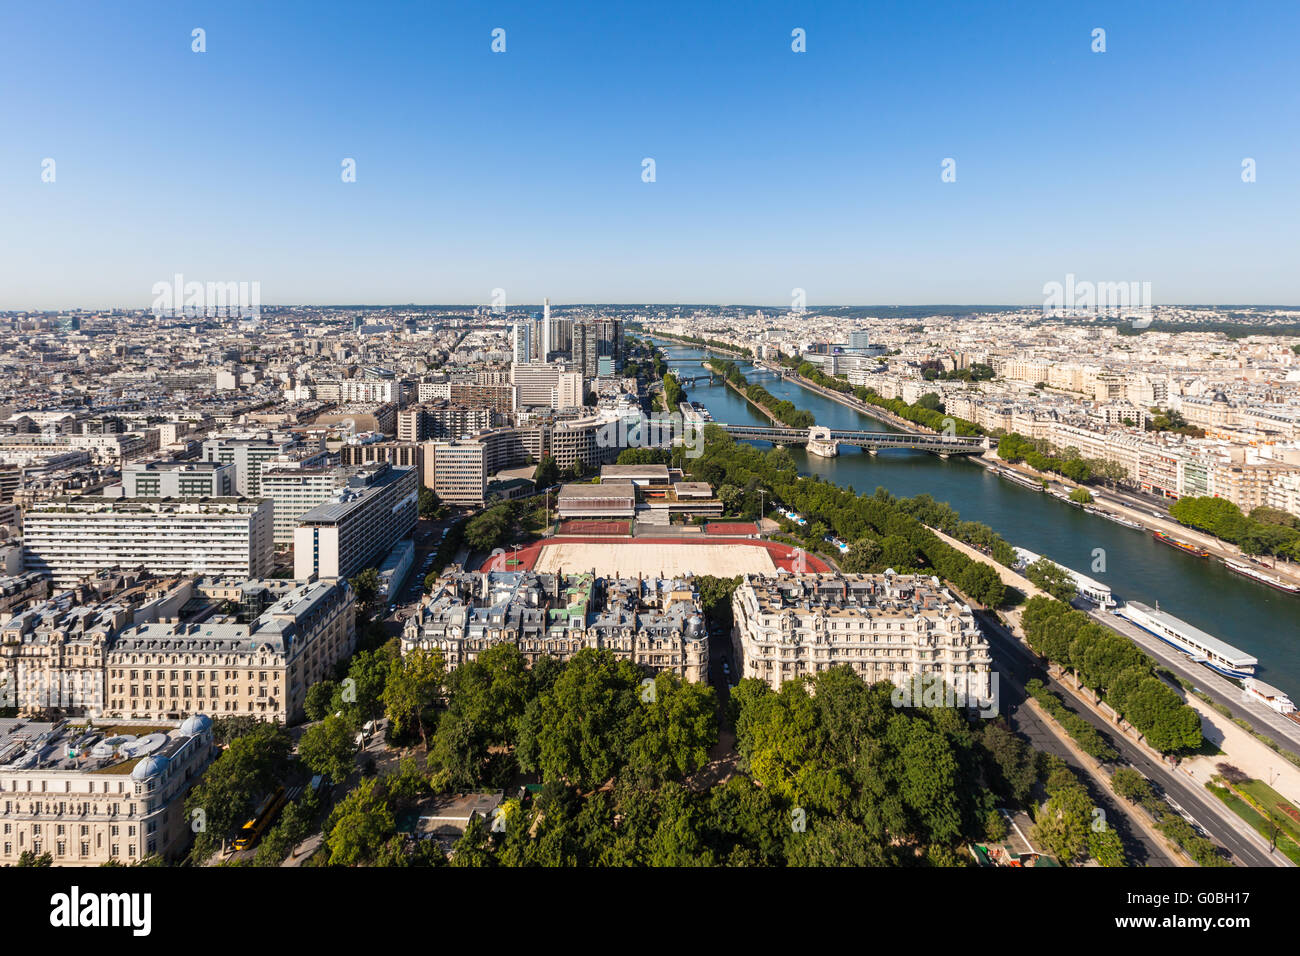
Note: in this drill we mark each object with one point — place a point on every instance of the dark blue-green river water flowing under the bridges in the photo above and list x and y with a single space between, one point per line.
1204 594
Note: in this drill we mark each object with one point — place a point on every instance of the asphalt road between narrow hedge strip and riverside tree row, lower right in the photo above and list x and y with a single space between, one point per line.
1247 847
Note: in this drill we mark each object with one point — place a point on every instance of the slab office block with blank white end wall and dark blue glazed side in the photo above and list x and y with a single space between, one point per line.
375 511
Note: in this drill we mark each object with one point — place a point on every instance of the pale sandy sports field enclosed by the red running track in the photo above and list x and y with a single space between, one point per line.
658 560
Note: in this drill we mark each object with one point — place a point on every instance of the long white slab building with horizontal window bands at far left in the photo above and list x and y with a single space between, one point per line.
73 538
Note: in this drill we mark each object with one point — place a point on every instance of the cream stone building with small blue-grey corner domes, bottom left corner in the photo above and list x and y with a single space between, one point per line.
86 798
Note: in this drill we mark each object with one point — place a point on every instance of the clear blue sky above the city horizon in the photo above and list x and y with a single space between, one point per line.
775 170
